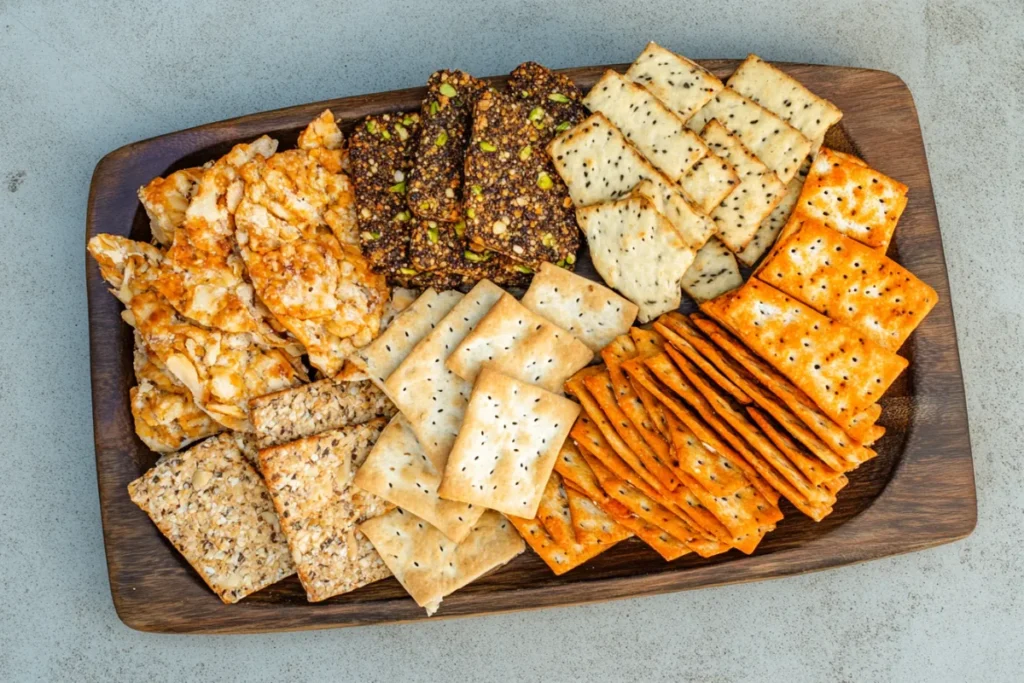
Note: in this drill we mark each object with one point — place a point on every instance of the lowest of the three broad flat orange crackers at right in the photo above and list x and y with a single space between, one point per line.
839 370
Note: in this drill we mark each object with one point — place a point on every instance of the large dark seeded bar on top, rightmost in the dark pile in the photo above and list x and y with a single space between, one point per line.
516 204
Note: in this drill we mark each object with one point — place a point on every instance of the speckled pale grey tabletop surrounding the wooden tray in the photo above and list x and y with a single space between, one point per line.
79 79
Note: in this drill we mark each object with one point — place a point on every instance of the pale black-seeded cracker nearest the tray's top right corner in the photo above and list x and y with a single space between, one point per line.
782 95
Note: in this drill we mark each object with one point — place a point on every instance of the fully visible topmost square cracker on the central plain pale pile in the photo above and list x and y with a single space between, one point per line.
507 446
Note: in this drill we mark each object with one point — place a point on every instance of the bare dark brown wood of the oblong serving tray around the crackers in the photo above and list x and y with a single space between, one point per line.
917 494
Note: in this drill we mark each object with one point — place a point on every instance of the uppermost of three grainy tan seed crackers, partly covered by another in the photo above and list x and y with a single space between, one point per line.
312 409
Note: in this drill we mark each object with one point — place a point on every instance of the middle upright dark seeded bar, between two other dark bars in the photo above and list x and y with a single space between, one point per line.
436 184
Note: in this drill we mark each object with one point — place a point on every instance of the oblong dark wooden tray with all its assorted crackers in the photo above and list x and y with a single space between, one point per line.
914 490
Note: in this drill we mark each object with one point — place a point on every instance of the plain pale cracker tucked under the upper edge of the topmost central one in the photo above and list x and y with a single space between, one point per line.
514 340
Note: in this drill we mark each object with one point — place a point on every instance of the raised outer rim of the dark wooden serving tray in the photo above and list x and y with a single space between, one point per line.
862 538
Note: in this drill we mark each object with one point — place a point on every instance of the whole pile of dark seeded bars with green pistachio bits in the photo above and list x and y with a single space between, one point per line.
463 190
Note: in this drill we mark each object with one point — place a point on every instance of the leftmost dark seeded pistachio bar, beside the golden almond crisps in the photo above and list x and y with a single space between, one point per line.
380 152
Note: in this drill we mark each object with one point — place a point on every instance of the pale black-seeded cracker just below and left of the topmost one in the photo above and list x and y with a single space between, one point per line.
649 124
